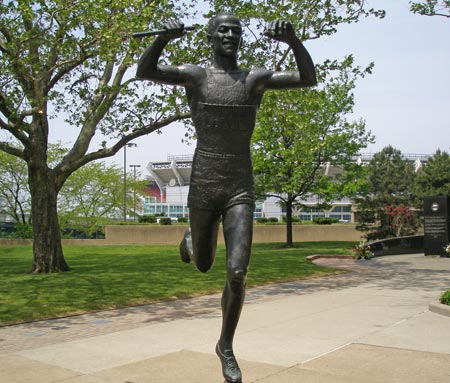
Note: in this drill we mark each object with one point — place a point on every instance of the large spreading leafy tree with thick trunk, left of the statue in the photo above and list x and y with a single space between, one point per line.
74 59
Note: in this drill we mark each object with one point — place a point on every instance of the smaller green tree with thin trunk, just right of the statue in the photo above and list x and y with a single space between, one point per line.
300 135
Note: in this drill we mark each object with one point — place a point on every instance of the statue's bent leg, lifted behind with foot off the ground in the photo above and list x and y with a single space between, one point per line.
203 238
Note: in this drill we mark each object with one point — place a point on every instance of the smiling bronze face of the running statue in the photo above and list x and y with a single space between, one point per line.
227 35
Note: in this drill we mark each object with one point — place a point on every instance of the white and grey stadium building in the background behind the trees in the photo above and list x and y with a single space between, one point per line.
169 186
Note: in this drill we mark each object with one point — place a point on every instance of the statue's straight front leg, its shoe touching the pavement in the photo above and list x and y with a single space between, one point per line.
238 229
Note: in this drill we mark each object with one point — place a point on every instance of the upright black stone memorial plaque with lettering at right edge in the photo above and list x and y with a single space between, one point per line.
436 225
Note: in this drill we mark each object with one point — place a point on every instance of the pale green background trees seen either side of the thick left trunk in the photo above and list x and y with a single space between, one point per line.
91 196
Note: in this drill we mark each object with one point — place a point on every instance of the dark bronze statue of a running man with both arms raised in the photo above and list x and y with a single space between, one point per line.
224 100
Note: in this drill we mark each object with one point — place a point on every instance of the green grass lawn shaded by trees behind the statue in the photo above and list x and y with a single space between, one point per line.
103 277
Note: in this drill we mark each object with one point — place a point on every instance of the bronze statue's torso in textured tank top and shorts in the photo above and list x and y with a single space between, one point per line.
224 117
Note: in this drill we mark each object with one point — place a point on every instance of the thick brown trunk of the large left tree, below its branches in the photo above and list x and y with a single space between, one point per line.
47 246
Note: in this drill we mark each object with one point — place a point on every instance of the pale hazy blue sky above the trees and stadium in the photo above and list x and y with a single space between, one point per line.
405 101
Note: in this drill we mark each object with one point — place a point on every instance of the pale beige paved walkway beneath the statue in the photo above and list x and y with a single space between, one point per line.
372 324
